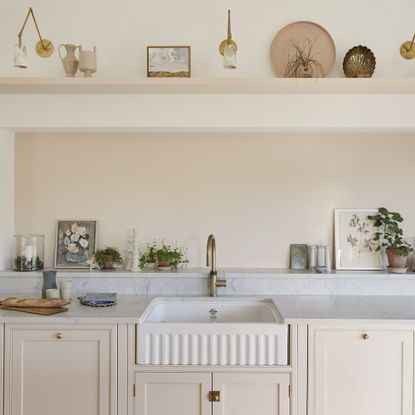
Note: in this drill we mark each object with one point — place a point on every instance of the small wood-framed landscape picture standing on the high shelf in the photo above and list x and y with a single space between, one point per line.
168 61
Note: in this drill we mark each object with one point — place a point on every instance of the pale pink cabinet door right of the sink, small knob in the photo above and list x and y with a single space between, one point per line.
360 372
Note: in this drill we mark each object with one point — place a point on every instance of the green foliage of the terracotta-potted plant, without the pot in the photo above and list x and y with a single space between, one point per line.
390 234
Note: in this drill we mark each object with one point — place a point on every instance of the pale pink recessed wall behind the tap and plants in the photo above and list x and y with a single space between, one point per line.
256 193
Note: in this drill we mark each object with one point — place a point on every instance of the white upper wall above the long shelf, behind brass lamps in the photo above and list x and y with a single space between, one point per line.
121 31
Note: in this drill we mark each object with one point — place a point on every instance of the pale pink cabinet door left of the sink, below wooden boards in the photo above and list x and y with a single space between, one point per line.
63 370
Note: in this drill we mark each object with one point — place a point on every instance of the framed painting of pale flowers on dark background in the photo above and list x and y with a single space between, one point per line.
75 243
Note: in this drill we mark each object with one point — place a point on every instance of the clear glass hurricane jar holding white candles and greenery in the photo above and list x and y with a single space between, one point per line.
29 252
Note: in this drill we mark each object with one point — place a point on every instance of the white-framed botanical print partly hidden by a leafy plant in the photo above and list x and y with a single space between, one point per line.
354 244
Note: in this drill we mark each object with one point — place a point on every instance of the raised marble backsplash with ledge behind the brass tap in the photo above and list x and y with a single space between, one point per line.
239 282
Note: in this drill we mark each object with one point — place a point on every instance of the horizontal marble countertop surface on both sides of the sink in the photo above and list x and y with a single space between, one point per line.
294 309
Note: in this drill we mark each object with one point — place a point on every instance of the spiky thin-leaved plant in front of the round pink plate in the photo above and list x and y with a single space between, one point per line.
302 64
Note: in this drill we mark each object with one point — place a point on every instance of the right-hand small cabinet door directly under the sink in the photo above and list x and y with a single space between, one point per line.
250 394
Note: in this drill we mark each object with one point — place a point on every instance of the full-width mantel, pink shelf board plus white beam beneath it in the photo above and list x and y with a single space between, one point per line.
213 105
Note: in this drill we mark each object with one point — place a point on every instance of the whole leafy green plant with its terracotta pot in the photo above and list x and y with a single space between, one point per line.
390 237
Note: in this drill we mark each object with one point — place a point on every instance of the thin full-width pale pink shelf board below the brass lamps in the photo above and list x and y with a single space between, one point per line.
206 86
